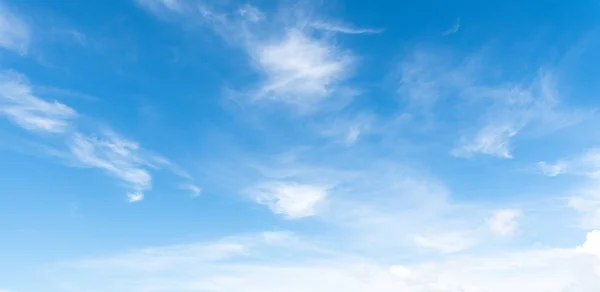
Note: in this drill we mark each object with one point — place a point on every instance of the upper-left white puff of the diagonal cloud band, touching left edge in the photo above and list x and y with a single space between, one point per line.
19 104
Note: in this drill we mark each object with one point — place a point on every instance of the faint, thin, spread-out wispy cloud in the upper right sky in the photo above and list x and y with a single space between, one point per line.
500 110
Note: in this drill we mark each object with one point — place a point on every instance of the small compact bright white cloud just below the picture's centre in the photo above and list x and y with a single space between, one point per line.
293 200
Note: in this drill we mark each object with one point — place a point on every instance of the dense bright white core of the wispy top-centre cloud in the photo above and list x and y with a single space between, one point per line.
300 69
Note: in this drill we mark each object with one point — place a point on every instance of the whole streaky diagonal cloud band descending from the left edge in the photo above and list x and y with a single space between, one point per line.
121 158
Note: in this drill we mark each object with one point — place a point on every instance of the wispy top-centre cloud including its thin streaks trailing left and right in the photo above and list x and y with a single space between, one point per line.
298 67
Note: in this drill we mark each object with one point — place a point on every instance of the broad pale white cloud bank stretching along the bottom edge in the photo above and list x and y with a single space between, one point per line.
252 263
